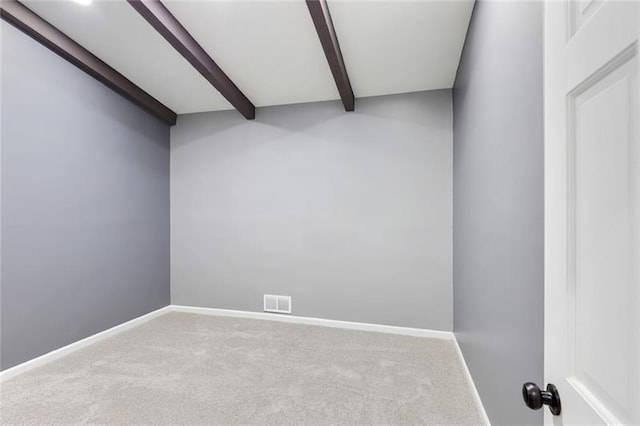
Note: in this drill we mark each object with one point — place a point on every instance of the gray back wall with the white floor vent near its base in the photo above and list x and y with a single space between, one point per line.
349 213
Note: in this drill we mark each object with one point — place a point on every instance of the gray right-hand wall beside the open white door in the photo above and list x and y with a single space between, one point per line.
498 205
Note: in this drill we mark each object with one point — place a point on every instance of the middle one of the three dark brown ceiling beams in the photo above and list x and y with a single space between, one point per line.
168 26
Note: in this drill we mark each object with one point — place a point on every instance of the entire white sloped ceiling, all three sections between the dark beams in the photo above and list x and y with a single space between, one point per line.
270 48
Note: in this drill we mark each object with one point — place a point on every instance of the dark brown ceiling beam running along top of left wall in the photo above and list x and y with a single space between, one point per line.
34 26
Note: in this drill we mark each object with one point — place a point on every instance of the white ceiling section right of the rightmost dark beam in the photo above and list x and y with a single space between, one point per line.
400 46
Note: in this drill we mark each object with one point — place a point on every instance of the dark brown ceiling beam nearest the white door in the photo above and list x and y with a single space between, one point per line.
321 17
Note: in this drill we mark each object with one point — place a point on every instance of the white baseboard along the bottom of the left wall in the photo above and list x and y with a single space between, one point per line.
66 350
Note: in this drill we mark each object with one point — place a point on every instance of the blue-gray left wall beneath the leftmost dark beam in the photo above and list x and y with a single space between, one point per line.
85 204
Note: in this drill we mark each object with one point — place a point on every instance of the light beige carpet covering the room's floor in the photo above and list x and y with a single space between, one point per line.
186 368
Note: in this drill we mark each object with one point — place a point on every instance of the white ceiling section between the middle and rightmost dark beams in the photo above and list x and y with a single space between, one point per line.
270 49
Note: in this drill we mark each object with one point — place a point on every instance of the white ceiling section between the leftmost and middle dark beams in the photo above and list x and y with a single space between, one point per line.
117 34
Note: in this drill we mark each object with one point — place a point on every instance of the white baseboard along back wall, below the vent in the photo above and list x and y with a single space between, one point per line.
405 331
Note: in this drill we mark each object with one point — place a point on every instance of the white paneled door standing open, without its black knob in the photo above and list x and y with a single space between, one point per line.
592 210
